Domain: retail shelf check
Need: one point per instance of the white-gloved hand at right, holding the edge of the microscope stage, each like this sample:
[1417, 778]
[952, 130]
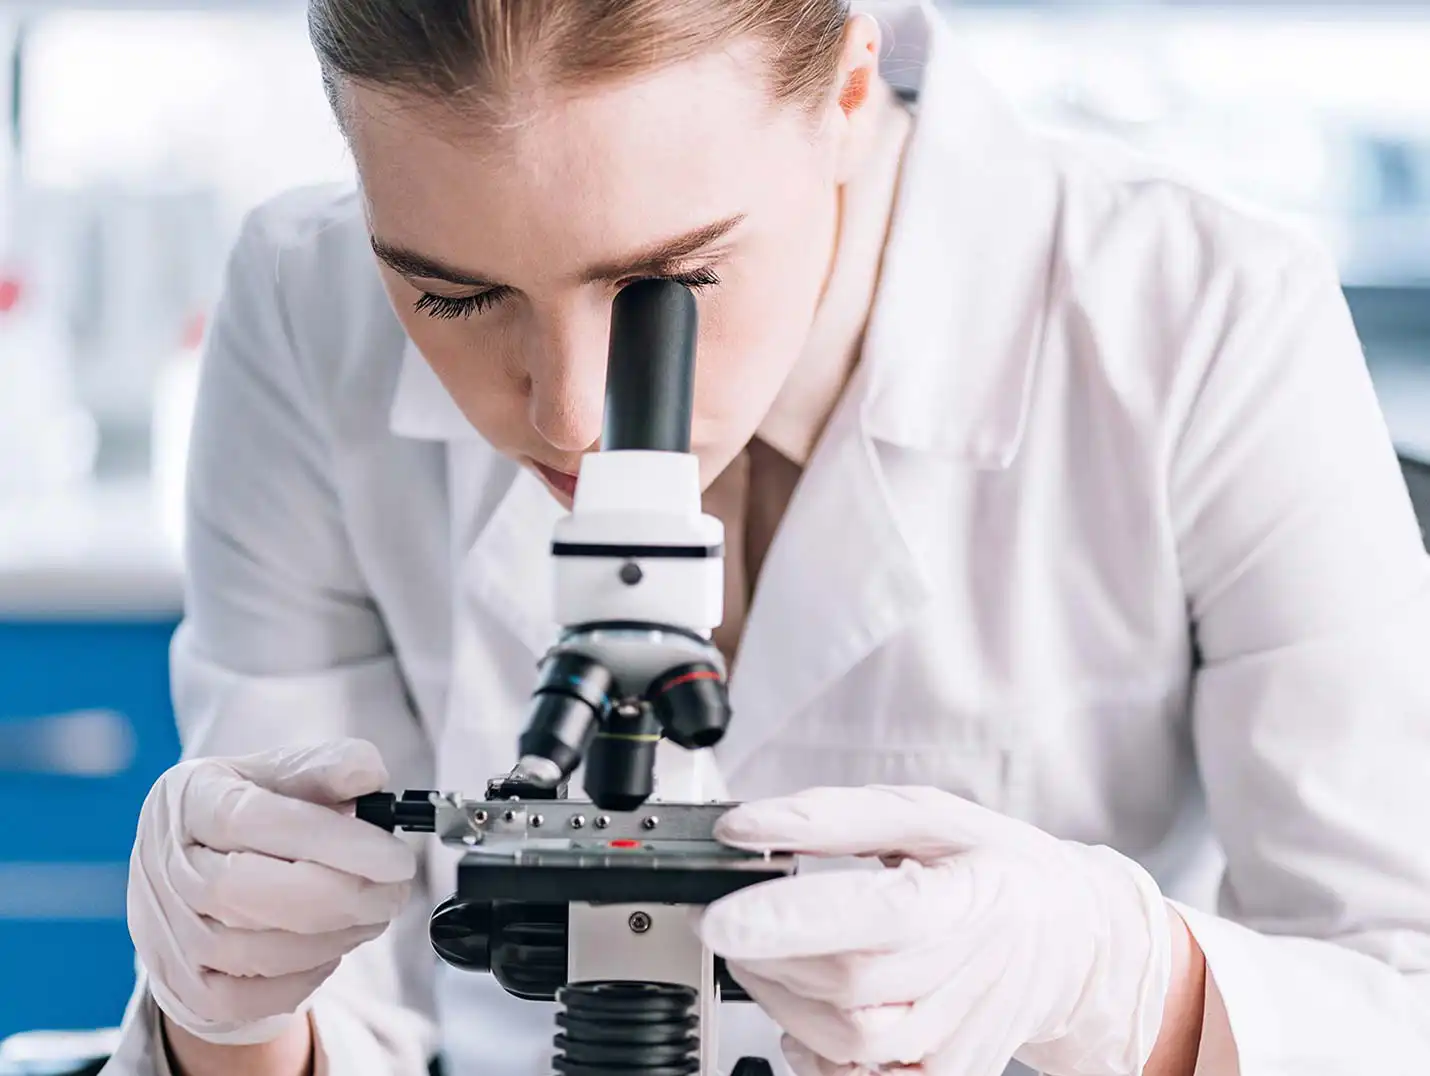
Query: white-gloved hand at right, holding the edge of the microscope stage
[985, 941]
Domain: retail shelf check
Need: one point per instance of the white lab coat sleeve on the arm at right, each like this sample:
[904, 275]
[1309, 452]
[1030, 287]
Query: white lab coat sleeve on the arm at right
[1311, 595]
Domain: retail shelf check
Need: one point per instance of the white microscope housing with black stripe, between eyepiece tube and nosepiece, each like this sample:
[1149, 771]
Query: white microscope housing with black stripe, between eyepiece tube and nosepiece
[641, 500]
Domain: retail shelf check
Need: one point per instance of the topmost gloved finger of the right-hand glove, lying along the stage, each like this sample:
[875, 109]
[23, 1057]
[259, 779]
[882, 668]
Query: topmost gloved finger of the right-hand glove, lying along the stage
[877, 821]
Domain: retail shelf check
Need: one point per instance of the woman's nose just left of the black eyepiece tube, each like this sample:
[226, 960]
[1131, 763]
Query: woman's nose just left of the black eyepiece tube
[568, 386]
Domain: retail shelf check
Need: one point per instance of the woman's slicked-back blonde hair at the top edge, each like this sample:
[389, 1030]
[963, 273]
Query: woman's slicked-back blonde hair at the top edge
[477, 54]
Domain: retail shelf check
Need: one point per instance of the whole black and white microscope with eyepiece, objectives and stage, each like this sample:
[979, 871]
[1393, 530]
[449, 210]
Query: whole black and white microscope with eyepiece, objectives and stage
[588, 902]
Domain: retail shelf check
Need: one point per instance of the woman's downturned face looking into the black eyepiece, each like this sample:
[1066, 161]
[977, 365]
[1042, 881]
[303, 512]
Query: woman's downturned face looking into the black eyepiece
[503, 248]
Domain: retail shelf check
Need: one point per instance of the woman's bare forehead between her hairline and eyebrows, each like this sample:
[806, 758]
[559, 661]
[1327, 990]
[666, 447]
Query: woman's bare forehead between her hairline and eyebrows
[576, 177]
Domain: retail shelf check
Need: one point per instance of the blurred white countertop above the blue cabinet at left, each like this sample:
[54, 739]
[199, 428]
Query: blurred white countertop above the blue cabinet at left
[95, 553]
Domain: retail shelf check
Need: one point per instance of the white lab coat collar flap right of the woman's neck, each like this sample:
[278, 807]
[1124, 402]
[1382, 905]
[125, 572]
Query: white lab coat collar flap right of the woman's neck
[957, 323]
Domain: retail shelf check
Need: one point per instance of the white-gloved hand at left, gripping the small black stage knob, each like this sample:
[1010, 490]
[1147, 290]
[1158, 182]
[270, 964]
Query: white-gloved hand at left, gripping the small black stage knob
[248, 885]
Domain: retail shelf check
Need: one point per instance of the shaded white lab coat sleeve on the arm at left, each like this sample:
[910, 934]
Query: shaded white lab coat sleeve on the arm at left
[282, 643]
